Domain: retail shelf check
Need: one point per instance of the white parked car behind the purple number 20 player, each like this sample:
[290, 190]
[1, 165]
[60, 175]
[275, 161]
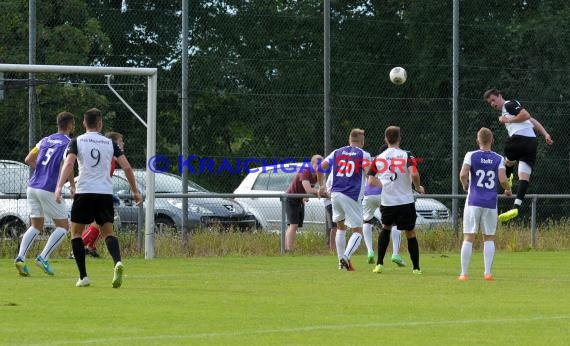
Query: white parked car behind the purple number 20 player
[273, 180]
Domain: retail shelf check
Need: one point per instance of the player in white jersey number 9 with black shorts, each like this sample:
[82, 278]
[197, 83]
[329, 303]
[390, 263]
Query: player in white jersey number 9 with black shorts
[93, 198]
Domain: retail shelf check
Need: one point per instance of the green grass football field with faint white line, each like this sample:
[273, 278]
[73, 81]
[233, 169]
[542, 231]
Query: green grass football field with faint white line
[290, 300]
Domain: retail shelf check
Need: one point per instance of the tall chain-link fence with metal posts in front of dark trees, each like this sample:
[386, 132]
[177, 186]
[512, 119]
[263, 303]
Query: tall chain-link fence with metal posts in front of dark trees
[256, 79]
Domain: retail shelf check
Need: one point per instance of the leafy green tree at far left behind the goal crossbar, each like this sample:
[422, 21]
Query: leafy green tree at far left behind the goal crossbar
[66, 35]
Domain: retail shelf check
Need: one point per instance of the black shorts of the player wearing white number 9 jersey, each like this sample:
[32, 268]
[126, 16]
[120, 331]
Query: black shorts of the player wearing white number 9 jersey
[87, 207]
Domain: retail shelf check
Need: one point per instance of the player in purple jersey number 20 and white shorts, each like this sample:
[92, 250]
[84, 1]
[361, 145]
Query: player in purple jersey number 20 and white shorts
[348, 168]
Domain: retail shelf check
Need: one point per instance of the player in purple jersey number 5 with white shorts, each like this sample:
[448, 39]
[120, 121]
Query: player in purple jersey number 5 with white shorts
[46, 159]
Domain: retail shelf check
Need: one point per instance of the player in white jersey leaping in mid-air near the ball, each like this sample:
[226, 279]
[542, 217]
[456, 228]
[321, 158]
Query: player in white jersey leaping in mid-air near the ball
[521, 144]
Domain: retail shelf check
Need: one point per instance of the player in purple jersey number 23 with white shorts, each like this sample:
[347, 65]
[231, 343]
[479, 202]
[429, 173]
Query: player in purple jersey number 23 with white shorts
[482, 171]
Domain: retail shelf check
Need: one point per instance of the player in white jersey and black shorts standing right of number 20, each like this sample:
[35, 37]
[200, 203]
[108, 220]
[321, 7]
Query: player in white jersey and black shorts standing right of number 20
[395, 170]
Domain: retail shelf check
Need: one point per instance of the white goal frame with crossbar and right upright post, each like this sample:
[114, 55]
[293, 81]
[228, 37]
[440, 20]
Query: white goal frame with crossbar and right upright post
[151, 74]
